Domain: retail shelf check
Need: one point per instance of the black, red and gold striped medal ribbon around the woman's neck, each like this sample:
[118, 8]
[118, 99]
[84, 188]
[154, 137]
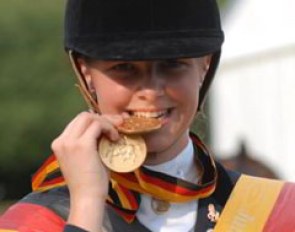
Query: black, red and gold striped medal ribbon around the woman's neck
[125, 188]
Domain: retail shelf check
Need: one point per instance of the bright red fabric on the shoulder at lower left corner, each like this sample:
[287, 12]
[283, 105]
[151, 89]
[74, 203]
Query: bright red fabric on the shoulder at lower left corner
[27, 217]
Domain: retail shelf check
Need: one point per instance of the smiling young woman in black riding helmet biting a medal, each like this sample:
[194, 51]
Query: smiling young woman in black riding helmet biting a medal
[151, 59]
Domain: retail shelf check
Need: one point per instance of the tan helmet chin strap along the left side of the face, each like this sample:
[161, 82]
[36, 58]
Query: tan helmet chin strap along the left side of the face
[82, 86]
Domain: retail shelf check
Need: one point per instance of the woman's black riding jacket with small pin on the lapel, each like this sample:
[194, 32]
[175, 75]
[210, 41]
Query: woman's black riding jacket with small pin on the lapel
[57, 200]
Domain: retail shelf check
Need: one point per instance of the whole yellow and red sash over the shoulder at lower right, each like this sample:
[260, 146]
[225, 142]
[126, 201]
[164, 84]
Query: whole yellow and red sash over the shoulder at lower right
[259, 205]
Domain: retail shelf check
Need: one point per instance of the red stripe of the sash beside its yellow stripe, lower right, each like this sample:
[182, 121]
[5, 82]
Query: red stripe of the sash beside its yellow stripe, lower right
[282, 217]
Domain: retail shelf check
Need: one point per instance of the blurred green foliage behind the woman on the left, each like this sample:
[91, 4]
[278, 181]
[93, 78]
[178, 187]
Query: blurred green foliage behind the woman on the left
[37, 90]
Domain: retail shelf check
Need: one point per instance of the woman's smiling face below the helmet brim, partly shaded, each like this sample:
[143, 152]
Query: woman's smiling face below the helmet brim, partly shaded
[164, 89]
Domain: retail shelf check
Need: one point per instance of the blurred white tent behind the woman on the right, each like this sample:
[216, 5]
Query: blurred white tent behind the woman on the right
[253, 96]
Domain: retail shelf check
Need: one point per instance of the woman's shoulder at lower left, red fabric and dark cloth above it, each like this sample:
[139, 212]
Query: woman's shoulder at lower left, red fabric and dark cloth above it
[45, 211]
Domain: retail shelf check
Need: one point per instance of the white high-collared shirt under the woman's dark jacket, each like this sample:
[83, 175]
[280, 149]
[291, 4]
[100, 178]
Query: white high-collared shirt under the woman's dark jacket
[180, 216]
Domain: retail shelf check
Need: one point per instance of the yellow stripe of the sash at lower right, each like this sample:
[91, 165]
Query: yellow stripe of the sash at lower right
[249, 205]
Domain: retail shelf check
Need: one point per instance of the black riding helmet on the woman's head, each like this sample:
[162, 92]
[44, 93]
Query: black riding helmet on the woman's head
[145, 30]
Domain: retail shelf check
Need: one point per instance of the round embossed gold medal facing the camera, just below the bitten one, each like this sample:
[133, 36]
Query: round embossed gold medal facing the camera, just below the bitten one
[125, 155]
